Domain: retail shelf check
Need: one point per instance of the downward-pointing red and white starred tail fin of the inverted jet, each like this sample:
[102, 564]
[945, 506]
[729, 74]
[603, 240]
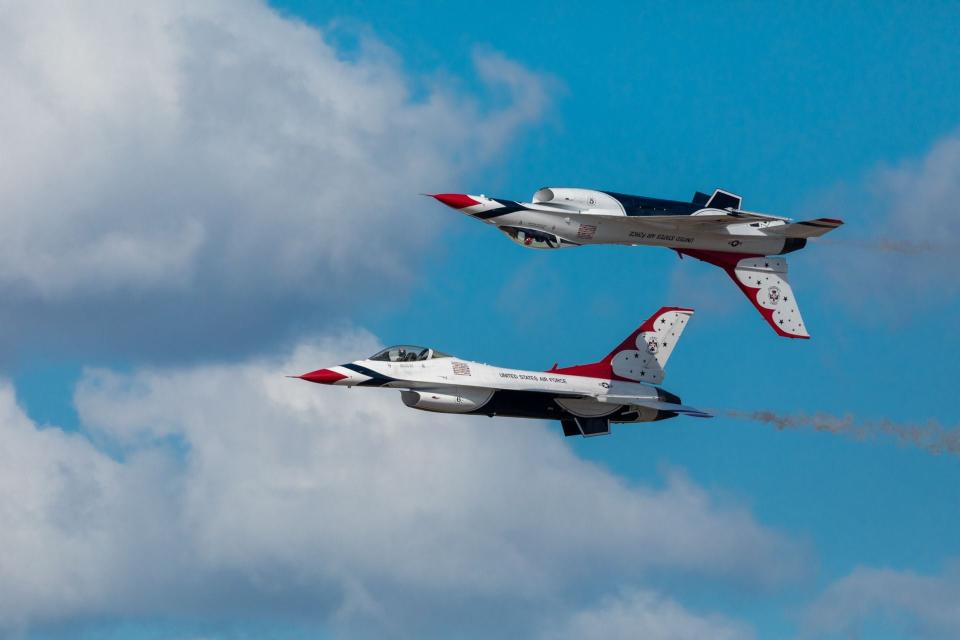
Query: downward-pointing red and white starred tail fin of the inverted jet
[764, 282]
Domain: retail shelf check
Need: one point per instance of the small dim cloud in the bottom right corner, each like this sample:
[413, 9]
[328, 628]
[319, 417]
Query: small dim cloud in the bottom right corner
[920, 605]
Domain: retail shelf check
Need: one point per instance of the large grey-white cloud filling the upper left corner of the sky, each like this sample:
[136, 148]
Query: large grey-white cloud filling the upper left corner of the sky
[175, 169]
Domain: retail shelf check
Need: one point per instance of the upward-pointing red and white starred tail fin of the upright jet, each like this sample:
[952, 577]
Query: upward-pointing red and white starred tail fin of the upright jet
[644, 354]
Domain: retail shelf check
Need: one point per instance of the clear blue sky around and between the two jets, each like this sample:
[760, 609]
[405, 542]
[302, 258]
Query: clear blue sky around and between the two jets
[779, 103]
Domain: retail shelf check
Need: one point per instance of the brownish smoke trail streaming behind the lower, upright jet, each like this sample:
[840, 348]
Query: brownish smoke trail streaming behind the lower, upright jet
[930, 436]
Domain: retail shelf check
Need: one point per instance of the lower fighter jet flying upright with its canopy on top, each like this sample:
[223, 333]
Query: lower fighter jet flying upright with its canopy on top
[586, 398]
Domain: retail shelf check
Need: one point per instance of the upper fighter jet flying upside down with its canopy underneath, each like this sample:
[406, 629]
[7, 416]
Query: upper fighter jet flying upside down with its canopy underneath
[711, 228]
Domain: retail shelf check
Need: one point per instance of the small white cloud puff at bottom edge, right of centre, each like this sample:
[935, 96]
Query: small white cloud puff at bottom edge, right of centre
[647, 615]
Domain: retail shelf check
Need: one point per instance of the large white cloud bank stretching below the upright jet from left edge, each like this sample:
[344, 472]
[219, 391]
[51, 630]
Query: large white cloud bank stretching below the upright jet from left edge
[232, 490]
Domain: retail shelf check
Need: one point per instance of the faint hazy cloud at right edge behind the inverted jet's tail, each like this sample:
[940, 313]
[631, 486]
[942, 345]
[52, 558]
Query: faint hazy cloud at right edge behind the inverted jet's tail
[902, 245]
